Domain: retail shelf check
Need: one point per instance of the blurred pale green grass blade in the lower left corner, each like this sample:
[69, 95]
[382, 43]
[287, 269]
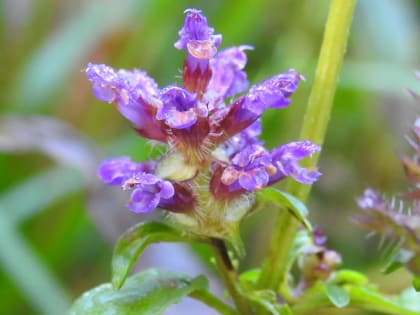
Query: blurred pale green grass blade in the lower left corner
[33, 279]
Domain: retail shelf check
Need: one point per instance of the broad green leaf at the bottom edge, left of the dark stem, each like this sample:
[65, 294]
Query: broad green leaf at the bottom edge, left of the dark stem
[146, 293]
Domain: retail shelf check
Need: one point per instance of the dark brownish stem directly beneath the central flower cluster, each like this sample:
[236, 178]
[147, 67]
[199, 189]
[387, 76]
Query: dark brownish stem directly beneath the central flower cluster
[229, 276]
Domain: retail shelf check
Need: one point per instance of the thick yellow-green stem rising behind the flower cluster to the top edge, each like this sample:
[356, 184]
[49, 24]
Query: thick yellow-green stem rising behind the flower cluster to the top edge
[315, 123]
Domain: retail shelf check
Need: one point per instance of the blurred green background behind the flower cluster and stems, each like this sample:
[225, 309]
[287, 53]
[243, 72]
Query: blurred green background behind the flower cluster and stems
[58, 223]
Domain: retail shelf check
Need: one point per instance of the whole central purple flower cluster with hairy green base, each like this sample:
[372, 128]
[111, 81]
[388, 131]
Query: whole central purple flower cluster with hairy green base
[214, 155]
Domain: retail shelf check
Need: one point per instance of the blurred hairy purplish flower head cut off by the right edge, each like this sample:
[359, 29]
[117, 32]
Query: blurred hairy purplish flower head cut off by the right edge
[398, 221]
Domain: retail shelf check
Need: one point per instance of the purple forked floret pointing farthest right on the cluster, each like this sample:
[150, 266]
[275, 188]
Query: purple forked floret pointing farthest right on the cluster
[285, 159]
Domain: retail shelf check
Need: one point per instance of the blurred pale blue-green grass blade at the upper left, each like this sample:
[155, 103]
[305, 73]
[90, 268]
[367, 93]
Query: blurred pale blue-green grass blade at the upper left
[65, 50]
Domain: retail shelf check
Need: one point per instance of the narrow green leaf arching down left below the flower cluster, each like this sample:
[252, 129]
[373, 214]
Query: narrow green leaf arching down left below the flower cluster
[132, 243]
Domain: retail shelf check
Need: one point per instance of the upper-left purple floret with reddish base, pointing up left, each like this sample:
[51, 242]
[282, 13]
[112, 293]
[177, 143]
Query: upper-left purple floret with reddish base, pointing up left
[133, 92]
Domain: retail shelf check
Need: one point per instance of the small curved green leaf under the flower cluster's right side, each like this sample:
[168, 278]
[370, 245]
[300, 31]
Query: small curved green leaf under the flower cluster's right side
[285, 201]
